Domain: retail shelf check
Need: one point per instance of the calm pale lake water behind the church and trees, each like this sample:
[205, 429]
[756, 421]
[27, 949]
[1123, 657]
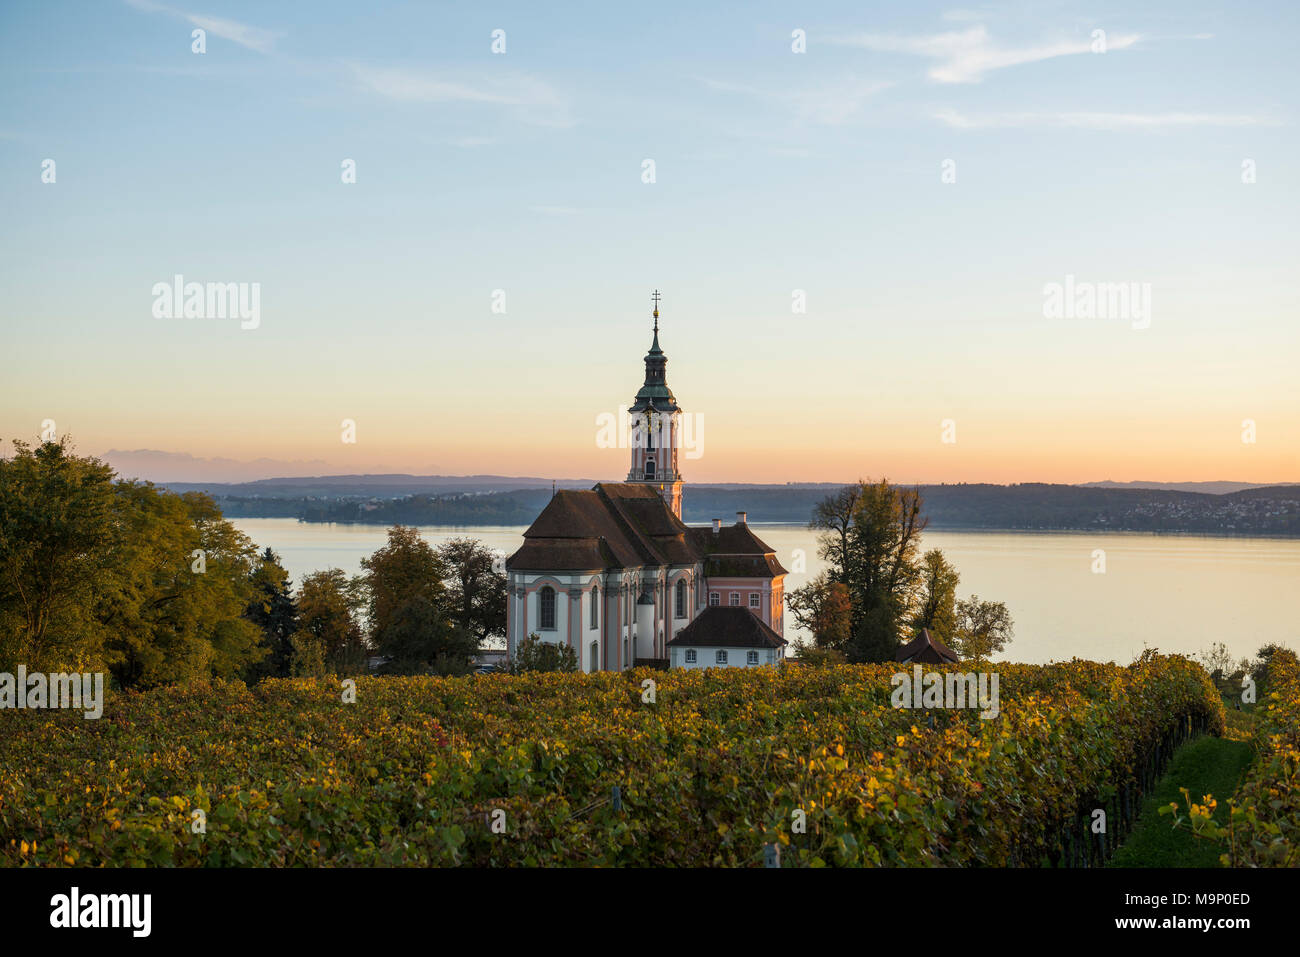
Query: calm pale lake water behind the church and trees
[1177, 594]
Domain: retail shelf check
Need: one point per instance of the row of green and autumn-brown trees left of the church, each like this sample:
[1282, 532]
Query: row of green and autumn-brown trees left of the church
[103, 574]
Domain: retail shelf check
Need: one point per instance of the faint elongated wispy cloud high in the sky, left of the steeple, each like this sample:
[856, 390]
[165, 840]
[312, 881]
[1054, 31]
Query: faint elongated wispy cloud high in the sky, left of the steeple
[535, 99]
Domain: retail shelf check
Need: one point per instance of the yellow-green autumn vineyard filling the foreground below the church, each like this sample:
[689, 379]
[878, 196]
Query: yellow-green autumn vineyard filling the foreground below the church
[717, 770]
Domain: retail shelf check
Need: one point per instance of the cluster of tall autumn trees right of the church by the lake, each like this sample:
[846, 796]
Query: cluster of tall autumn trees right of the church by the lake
[881, 591]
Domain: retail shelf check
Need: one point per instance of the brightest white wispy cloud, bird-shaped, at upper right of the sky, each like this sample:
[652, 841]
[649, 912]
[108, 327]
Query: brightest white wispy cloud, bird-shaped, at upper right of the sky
[965, 57]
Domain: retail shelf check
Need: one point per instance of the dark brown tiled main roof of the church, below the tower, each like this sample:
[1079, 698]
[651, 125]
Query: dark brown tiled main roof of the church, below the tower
[629, 525]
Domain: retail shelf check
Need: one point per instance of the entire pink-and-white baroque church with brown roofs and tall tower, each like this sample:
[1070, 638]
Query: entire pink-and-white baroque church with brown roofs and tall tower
[616, 574]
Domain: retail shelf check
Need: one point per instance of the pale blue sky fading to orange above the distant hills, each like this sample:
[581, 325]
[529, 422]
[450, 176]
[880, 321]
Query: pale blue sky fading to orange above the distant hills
[857, 245]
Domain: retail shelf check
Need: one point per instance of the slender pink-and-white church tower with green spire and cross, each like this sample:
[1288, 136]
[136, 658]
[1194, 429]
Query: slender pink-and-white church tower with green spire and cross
[656, 427]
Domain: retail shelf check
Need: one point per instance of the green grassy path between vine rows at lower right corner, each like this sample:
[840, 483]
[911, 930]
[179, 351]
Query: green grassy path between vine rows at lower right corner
[1204, 767]
